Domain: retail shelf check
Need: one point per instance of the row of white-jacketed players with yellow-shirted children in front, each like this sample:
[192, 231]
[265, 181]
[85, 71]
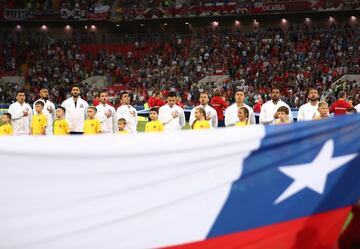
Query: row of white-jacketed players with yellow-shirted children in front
[75, 116]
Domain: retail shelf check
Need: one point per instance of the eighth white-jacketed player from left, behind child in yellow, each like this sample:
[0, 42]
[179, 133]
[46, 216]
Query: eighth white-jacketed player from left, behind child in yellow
[231, 113]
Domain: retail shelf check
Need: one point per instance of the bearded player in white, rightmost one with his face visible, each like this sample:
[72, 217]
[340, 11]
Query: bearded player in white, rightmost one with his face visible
[310, 109]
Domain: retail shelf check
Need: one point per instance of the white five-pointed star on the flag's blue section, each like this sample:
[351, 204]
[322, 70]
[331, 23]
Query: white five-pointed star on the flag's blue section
[313, 175]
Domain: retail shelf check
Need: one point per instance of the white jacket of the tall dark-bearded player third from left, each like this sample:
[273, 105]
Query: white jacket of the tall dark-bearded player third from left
[75, 114]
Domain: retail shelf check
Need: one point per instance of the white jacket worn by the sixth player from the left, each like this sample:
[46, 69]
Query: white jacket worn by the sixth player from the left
[170, 123]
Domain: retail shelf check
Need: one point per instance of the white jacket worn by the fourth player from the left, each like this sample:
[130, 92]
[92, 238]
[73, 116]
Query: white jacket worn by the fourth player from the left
[108, 124]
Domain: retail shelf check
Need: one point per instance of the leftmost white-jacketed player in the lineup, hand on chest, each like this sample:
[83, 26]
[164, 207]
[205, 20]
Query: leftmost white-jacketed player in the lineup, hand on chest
[21, 114]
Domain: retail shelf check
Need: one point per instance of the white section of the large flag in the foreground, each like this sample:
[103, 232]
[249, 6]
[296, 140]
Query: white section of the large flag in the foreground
[135, 191]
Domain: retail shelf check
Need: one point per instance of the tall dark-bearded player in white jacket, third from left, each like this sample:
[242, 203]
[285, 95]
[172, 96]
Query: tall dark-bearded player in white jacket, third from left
[75, 108]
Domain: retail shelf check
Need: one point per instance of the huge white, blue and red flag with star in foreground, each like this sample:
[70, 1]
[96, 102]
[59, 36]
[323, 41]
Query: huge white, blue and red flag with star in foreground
[284, 186]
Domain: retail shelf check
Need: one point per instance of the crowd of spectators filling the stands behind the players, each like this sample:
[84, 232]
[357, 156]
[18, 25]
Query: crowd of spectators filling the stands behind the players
[295, 60]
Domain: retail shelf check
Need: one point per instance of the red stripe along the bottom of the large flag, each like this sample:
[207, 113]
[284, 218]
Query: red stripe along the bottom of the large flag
[319, 231]
